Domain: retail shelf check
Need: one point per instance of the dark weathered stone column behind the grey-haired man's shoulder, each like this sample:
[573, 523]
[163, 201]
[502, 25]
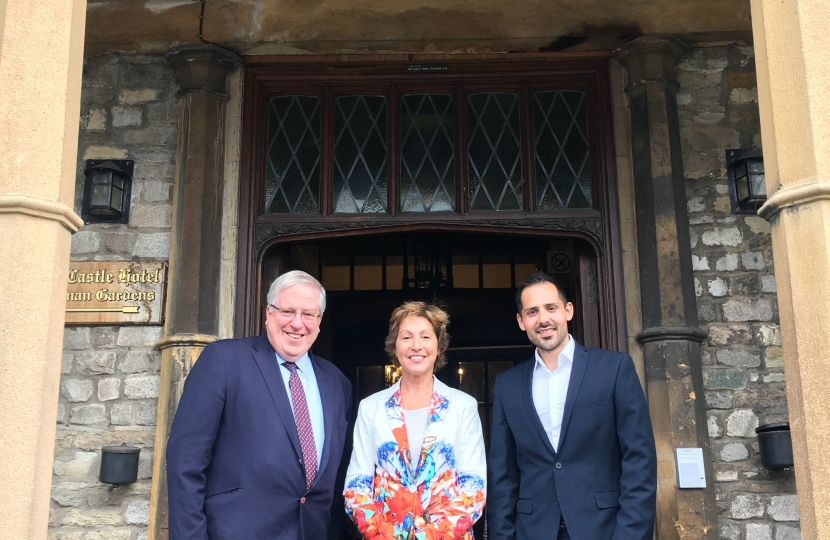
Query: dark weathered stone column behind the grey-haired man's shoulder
[196, 241]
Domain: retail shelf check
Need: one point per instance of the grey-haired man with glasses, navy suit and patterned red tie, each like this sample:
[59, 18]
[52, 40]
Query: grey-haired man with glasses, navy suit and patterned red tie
[256, 450]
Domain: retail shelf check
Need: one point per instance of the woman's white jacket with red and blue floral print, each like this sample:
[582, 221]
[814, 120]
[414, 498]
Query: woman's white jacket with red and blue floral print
[439, 498]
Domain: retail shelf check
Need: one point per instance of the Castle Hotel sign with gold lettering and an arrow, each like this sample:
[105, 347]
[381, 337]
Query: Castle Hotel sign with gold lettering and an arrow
[115, 292]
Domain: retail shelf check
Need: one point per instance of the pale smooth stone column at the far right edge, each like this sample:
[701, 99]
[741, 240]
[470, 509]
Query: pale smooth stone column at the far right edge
[791, 44]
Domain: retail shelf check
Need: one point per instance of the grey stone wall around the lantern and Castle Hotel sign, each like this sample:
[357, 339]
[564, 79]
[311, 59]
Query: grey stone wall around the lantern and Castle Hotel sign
[109, 381]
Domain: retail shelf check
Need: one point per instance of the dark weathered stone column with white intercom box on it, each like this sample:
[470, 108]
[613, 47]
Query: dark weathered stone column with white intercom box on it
[671, 336]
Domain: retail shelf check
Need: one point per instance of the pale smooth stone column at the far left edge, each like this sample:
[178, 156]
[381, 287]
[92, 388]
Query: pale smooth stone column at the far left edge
[41, 61]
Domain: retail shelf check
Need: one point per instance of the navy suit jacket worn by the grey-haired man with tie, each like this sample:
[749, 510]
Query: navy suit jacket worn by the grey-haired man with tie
[234, 468]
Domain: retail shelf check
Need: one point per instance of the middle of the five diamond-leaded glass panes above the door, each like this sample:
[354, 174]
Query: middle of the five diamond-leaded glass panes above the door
[427, 159]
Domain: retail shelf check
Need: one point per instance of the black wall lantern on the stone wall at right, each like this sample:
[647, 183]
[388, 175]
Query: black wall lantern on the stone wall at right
[747, 183]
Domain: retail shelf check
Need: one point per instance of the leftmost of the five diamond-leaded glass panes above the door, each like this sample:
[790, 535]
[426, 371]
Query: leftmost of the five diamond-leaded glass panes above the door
[292, 177]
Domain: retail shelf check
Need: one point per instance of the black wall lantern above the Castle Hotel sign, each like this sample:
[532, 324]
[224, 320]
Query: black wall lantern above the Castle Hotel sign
[107, 190]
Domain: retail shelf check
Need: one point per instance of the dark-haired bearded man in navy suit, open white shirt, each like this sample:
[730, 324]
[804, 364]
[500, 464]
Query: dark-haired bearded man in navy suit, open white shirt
[571, 449]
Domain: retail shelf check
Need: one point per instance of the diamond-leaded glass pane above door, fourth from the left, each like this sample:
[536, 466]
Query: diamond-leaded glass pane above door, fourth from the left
[494, 157]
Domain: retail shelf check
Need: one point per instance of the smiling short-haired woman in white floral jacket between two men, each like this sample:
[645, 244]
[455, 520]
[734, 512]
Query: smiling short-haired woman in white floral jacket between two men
[417, 470]
